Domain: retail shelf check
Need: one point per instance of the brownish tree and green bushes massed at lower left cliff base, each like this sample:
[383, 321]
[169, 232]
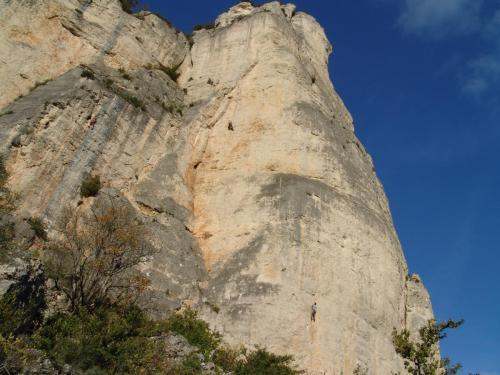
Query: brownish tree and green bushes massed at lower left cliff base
[100, 330]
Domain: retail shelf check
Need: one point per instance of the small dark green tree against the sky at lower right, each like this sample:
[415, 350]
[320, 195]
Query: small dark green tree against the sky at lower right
[421, 357]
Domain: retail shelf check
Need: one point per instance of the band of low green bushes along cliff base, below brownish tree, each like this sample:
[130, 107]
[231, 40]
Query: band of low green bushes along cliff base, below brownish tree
[122, 339]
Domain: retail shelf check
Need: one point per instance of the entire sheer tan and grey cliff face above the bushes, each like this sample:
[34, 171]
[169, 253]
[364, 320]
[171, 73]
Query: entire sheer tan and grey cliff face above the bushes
[259, 197]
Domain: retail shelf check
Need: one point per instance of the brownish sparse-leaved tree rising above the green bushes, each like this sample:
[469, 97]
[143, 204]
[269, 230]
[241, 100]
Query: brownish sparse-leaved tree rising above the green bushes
[93, 260]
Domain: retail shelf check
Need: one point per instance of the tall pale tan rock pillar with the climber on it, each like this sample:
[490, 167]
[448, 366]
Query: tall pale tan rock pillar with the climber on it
[286, 207]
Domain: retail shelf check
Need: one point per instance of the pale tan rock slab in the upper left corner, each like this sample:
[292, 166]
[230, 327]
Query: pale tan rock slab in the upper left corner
[41, 40]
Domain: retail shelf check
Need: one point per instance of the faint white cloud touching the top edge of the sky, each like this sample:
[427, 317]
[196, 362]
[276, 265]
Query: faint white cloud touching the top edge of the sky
[437, 19]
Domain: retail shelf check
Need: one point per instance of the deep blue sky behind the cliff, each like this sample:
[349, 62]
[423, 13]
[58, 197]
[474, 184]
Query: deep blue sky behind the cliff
[422, 80]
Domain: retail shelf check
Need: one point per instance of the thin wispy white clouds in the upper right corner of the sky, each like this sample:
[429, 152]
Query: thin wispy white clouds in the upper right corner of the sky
[436, 20]
